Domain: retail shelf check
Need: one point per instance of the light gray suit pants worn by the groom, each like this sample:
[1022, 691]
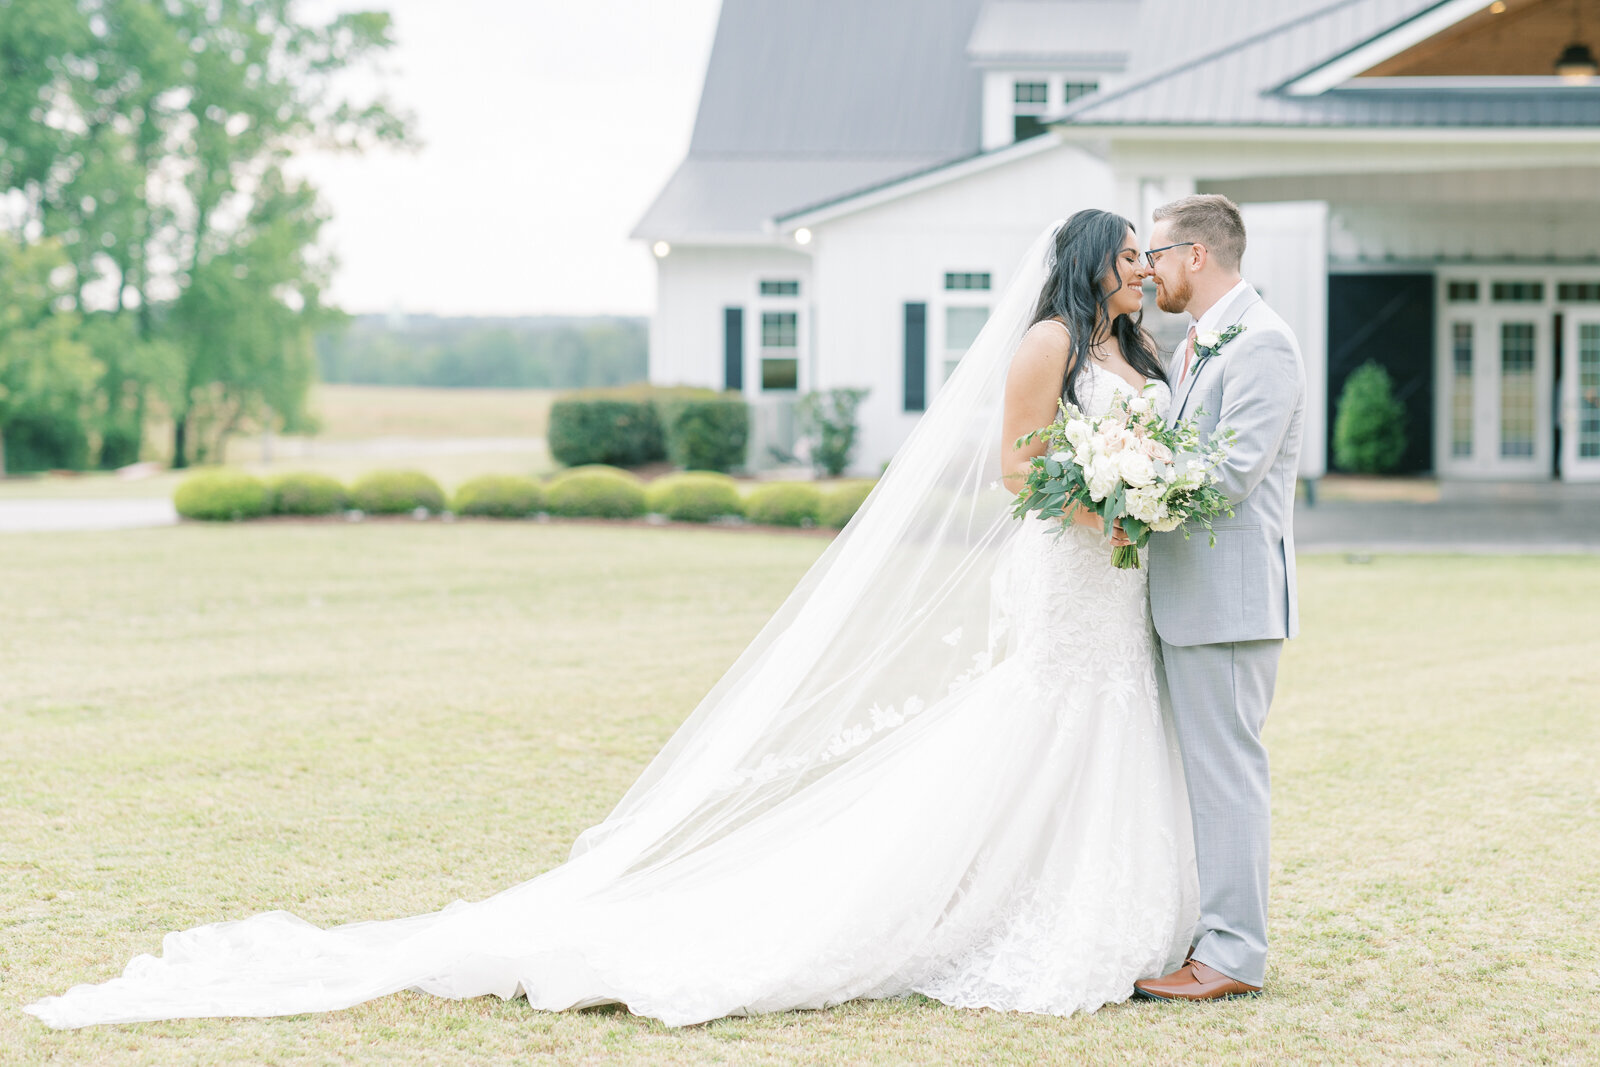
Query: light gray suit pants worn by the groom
[1220, 697]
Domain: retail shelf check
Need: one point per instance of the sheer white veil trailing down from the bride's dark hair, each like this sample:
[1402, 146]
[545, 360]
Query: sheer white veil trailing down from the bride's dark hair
[892, 618]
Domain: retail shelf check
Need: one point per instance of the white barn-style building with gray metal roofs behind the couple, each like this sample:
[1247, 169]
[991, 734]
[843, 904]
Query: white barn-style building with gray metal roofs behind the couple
[1420, 185]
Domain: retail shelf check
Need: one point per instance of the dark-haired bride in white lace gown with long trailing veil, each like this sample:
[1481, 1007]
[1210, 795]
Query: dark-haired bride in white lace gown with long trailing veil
[942, 769]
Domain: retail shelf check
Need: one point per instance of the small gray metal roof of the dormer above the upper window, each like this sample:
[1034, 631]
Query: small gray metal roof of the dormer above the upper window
[1055, 33]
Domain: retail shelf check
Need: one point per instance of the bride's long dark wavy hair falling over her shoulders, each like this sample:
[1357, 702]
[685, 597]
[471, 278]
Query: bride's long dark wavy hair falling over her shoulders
[1087, 247]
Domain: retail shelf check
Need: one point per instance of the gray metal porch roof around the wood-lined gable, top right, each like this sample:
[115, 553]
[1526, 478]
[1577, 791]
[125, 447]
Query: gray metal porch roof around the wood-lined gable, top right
[1239, 66]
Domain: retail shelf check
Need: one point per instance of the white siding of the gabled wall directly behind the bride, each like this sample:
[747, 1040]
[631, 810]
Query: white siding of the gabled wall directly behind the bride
[870, 265]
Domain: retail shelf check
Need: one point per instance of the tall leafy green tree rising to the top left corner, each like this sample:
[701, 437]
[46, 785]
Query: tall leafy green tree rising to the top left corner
[151, 140]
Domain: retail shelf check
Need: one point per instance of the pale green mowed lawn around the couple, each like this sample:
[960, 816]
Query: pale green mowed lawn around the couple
[364, 722]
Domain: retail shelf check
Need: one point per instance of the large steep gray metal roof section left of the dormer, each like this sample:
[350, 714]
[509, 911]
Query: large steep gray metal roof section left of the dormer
[806, 102]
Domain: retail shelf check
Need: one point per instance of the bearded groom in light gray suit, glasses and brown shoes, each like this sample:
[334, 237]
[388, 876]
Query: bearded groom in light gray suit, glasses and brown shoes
[1225, 612]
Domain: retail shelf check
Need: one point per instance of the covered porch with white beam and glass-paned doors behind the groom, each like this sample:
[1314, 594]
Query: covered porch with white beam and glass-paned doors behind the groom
[1466, 263]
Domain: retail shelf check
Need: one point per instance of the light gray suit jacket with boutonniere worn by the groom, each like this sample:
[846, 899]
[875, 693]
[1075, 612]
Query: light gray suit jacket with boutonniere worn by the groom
[1242, 589]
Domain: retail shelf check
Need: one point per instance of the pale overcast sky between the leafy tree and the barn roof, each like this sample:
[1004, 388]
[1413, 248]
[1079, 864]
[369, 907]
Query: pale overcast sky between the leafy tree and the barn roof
[548, 130]
